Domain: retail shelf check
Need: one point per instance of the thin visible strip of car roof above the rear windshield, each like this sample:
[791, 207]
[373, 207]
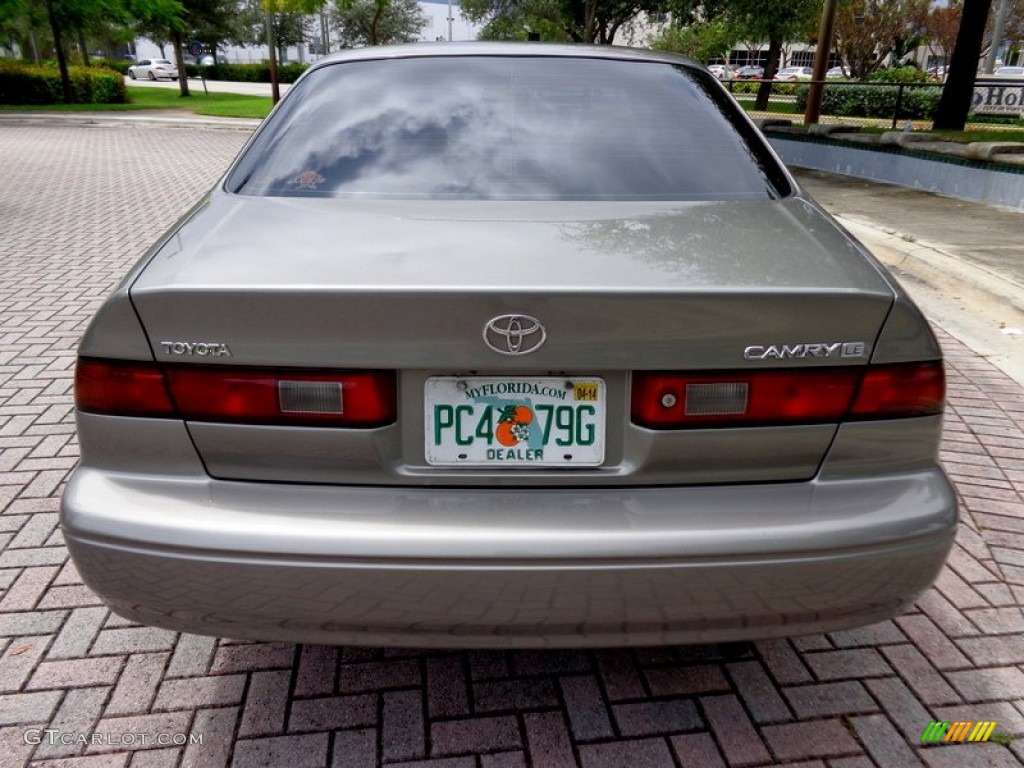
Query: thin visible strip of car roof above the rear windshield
[476, 49]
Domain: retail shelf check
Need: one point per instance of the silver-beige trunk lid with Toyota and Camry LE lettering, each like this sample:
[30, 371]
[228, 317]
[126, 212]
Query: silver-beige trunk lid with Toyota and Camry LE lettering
[410, 287]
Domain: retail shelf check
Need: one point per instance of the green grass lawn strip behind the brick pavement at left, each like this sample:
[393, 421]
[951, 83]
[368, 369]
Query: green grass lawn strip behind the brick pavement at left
[220, 105]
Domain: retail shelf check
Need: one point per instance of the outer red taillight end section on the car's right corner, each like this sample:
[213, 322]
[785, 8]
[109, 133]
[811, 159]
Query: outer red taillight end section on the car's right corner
[918, 390]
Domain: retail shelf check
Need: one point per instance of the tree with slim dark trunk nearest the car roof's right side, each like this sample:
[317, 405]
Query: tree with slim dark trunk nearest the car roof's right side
[775, 21]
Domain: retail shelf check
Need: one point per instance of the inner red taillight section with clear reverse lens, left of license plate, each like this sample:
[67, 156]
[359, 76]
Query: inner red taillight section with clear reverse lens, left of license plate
[361, 399]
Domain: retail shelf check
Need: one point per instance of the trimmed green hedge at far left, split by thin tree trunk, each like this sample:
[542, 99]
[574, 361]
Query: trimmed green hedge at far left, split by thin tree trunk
[27, 84]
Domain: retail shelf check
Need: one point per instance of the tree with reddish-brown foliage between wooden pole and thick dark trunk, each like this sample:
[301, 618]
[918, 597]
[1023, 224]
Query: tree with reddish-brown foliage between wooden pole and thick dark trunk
[868, 31]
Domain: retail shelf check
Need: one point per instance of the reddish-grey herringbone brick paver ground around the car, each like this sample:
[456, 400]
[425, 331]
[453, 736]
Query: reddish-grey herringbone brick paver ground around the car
[78, 205]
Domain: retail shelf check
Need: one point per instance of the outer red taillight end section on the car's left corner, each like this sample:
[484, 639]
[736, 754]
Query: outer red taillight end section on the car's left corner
[121, 389]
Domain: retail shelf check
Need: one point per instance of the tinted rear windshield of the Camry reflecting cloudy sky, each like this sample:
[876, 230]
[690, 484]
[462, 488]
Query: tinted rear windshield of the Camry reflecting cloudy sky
[508, 129]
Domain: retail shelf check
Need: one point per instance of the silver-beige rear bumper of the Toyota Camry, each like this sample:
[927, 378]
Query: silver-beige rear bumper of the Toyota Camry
[503, 568]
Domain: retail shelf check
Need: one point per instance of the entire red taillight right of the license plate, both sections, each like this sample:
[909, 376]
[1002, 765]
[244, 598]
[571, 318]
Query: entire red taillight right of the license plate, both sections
[679, 401]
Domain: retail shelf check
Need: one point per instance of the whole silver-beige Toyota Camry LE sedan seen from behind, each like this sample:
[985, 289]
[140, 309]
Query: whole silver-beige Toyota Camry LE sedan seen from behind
[508, 346]
